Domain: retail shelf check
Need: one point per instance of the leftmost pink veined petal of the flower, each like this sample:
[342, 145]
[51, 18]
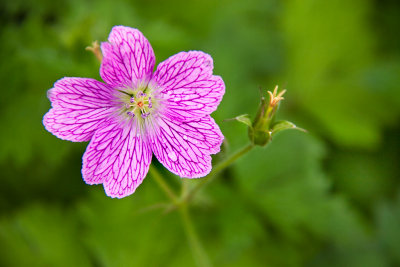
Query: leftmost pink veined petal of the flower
[79, 106]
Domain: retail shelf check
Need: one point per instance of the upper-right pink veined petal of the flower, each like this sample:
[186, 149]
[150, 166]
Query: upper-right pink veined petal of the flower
[187, 84]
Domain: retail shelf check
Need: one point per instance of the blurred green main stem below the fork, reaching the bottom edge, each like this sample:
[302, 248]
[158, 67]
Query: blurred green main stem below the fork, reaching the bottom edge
[198, 251]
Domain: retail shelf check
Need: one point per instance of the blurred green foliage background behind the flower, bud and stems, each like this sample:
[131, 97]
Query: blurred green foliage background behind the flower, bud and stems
[327, 198]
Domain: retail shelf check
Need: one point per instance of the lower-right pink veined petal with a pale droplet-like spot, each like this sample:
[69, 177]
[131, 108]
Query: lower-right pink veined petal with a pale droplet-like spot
[184, 148]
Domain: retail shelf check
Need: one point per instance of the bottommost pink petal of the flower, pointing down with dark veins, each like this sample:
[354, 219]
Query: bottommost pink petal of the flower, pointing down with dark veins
[118, 157]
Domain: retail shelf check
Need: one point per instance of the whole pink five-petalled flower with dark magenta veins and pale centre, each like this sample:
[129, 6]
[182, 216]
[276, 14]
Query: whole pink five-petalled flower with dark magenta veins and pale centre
[136, 113]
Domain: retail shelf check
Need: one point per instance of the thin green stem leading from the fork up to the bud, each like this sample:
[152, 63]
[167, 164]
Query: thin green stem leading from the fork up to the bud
[219, 167]
